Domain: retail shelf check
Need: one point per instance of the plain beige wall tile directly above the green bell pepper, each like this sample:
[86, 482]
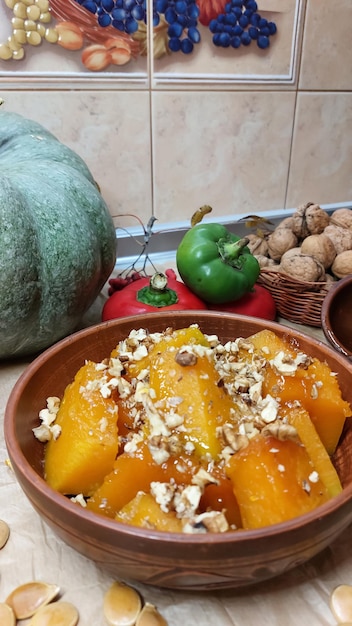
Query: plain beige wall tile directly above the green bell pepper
[228, 150]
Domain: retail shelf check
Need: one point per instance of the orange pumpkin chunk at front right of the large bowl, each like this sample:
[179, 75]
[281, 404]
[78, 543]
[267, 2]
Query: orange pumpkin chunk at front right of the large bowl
[274, 481]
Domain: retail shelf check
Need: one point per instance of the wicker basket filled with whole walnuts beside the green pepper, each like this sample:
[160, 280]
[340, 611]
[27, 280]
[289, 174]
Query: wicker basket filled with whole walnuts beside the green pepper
[302, 258]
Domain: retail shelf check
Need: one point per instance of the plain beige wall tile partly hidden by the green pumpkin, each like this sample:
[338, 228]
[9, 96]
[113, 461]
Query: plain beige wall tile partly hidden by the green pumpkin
[109, 130]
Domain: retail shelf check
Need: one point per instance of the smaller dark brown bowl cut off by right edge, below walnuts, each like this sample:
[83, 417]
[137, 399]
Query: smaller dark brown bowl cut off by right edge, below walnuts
[336, 316]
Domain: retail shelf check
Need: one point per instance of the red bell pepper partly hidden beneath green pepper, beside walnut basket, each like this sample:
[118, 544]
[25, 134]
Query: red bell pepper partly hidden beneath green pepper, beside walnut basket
[257, 303]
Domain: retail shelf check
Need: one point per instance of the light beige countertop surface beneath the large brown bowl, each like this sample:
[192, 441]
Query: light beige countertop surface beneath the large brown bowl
[33, 552]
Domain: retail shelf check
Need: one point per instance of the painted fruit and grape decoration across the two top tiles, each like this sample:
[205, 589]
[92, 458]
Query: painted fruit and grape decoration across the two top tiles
[109, 35]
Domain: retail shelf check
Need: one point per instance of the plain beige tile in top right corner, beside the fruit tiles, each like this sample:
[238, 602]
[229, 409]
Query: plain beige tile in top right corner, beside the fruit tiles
[327, 50]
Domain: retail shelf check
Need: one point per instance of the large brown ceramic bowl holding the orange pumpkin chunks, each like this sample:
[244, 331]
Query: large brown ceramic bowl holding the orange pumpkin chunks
[178, 561]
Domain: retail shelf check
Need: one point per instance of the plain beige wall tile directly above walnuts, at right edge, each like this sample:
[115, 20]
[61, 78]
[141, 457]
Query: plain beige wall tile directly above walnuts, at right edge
[322, 149]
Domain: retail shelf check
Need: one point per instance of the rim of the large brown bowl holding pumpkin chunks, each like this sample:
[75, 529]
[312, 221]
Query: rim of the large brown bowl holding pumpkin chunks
[29, 474]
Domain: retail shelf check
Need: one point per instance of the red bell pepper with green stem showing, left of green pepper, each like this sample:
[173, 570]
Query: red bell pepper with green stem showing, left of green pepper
[145, 295]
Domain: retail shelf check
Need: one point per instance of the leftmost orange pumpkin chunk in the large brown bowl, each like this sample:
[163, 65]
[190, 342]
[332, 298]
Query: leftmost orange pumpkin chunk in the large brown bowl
[85, 451]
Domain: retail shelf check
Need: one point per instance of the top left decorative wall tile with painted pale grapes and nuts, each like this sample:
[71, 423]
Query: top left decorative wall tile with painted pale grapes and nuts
[61, 42]
